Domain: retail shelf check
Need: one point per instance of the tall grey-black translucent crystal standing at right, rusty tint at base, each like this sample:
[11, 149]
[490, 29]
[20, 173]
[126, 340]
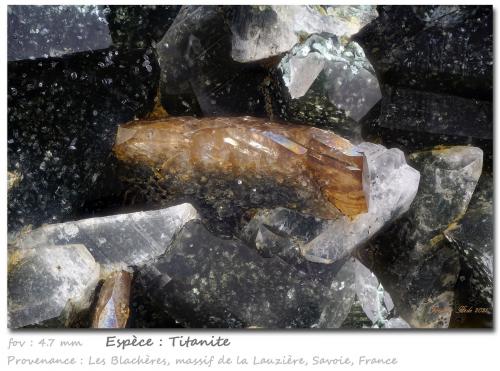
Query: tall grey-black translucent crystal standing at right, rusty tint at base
[412, 259]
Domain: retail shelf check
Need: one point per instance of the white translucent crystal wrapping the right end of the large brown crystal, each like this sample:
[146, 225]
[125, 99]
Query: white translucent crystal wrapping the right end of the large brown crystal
[392, 186]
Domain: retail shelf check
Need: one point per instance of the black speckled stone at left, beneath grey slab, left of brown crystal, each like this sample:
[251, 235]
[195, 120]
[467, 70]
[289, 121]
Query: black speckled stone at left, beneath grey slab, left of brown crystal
[62, 120]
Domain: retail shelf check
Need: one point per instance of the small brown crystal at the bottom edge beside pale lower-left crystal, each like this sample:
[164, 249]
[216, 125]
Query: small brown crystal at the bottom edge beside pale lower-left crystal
[112, 308]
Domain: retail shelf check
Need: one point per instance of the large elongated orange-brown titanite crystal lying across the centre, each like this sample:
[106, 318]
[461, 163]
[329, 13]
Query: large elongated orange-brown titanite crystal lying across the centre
[322, 165]
